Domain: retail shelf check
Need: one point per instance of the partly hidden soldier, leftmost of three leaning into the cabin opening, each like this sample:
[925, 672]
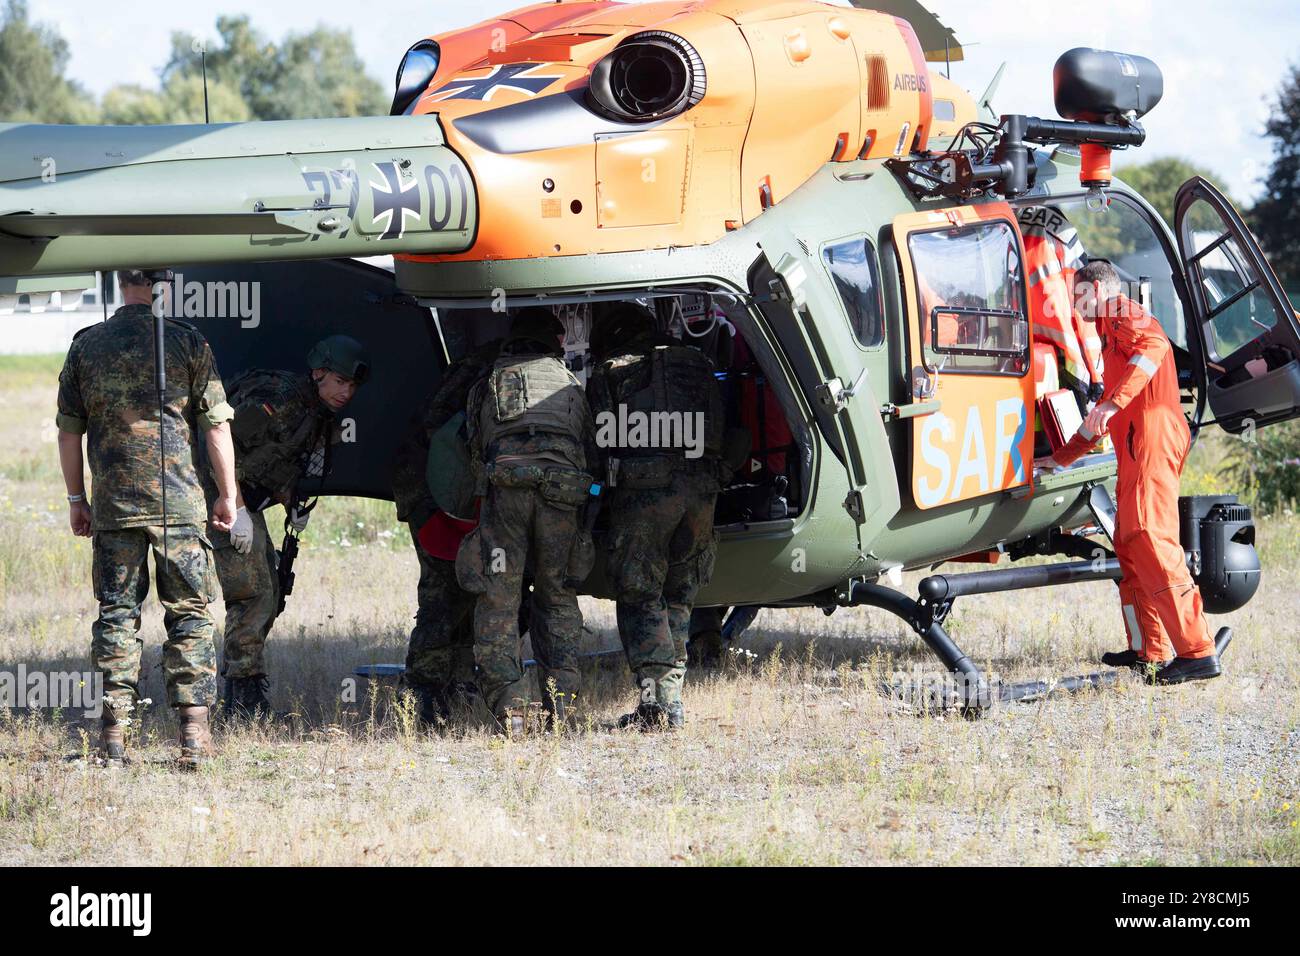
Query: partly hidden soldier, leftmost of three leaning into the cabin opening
[441, 654]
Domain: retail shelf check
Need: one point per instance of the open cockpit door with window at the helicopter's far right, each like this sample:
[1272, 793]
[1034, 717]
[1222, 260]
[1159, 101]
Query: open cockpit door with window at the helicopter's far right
[1250, 330]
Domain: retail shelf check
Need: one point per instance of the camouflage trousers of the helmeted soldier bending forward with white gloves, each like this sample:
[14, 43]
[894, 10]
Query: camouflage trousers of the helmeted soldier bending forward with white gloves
[252, 592]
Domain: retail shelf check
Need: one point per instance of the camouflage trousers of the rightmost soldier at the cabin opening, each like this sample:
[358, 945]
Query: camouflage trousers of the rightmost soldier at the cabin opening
[661, 555]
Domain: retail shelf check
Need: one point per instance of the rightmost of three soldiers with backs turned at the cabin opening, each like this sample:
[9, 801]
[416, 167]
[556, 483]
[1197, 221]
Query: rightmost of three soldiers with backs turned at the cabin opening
[662, 500]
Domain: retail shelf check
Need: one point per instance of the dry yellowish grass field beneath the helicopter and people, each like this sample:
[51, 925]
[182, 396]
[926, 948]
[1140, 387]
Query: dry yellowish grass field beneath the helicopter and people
[791, 755]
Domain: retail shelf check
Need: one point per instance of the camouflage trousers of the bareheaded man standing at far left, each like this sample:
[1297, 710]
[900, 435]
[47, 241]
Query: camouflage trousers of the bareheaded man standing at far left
[187, 586]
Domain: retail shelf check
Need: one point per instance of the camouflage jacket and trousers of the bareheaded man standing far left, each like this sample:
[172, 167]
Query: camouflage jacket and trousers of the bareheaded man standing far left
[107, 392]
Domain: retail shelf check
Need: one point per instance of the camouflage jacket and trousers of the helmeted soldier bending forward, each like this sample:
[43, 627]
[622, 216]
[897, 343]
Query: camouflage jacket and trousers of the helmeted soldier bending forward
[281, 432]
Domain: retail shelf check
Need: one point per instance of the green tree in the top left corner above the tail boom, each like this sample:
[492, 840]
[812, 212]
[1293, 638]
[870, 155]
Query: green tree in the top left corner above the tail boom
[33, 59]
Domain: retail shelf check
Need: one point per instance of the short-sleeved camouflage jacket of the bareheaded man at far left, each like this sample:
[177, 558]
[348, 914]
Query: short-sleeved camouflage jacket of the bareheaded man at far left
[109, 392]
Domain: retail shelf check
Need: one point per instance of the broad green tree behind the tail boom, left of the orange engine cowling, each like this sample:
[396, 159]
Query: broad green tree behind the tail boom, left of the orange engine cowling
[313, 75]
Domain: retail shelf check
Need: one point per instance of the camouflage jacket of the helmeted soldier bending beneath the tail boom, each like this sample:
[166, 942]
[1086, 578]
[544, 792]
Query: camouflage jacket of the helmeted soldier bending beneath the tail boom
[281, 432]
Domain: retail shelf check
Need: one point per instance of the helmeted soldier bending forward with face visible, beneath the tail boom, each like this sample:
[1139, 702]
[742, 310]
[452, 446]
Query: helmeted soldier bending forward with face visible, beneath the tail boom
[284, 427]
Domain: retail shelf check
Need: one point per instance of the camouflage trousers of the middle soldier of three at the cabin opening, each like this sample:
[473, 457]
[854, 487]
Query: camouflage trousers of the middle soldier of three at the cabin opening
[521, 529]
